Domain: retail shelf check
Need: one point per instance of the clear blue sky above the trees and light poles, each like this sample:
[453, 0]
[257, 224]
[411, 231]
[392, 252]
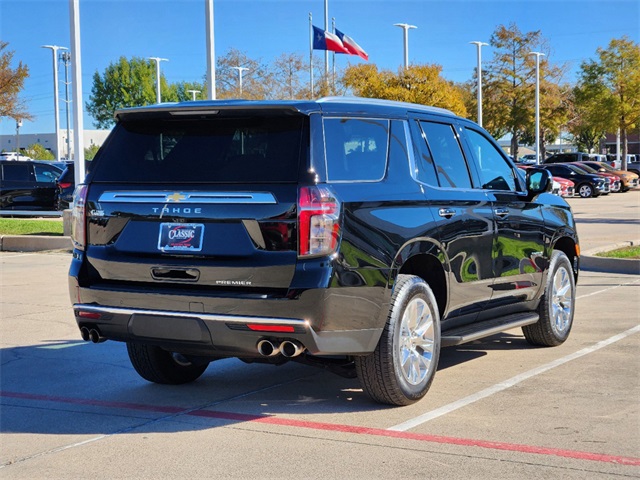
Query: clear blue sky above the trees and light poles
[264, 29]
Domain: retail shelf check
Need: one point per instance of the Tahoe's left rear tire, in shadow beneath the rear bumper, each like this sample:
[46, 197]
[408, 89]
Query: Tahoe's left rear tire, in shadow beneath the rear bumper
[159, 366]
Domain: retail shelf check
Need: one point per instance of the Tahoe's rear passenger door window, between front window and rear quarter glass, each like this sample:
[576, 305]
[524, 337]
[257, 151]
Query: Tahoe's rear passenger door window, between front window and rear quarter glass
[451, 167]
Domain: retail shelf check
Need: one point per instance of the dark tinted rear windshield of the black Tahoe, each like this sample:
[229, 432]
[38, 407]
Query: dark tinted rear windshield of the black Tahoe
[203, 150]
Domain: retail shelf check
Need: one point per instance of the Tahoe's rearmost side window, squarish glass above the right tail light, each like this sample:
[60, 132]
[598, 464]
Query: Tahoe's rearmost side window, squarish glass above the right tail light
[356, 149]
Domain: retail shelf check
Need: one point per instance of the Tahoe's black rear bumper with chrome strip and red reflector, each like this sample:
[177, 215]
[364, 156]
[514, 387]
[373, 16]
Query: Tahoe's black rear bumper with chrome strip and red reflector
[327, 321]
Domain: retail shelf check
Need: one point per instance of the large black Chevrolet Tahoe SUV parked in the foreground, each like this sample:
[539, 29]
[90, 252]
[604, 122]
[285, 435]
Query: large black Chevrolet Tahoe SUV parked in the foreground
[356, 235]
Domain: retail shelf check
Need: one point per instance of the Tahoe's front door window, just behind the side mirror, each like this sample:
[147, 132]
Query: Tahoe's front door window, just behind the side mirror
[495, 172]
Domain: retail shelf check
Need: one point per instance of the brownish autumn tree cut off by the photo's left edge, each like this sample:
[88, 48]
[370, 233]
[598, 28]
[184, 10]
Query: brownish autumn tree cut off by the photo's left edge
[11, 83]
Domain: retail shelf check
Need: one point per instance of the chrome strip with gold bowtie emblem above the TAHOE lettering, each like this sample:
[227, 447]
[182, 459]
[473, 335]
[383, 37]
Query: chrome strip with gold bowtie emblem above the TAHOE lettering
[140, 196]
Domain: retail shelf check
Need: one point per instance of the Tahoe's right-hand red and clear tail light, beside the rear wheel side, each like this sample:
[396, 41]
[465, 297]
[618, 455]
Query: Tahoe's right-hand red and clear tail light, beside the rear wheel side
[318, 221]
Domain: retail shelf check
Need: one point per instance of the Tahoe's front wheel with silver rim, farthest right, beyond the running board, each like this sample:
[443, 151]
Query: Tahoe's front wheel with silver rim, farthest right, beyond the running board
[556, 307]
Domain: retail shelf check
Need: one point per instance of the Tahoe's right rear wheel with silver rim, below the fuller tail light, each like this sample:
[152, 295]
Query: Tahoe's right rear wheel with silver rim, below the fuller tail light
[403, 365]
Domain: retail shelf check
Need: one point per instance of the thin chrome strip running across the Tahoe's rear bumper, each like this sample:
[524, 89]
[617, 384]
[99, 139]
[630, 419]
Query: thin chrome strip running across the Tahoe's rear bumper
[201, 316]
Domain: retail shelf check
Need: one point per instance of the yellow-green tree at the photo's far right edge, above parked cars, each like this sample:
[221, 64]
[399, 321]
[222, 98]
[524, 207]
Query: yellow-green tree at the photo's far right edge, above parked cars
[614, 78]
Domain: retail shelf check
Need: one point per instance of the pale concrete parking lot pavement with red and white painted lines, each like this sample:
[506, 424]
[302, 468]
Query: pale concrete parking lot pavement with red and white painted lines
[498, 408]
